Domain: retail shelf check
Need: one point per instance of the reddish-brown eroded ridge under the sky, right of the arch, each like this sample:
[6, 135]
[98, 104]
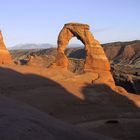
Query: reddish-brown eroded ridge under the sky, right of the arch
[124, 52]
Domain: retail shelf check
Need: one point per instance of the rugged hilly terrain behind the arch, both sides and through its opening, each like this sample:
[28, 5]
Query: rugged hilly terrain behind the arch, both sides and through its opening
[123, 56]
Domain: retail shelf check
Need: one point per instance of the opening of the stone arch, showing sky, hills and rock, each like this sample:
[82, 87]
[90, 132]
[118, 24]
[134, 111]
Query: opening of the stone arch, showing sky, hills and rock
[76, 55]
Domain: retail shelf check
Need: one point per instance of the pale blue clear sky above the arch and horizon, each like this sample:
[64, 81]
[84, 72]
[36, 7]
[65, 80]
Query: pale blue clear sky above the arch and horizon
[40, 21]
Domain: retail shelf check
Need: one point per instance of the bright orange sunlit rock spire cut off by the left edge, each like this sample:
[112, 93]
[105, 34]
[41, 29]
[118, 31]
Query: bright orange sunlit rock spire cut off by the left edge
[5, 57]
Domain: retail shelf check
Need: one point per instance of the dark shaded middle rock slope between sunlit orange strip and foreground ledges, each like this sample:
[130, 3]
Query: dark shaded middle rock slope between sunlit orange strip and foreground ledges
[51, 97]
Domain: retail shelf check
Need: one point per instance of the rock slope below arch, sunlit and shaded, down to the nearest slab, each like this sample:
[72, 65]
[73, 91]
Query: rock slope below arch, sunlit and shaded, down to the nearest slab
[74, 99]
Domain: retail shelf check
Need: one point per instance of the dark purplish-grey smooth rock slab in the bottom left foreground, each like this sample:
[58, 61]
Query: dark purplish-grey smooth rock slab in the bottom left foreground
[20, 121]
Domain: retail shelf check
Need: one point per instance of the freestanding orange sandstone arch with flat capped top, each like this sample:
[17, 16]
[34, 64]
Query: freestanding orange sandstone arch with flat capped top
[95, 56]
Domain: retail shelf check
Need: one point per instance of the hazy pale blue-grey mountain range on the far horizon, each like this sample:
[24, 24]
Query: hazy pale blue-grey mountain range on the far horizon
[31, 46]
